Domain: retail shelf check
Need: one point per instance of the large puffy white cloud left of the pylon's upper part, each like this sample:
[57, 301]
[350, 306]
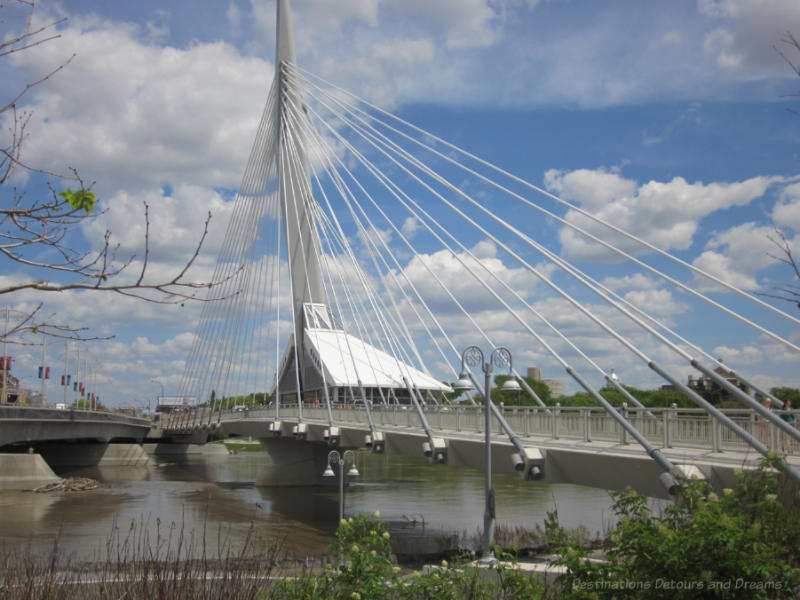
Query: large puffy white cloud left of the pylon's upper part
[139, 114]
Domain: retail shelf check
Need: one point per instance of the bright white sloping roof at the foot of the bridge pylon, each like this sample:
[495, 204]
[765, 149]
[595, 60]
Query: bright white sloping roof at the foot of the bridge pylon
[346, 359]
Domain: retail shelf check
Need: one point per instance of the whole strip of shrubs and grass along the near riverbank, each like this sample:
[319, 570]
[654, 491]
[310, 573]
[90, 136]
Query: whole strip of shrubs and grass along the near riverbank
[740, 543]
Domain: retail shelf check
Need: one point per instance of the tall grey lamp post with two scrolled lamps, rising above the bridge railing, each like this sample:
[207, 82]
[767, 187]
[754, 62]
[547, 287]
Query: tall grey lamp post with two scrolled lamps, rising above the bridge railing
[500, 357]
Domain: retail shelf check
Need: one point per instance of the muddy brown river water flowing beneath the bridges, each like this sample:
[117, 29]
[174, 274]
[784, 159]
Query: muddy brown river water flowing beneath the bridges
[214, 498]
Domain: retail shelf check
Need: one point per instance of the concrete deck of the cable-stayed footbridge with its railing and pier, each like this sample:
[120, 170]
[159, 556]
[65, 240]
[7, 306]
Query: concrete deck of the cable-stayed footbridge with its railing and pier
[565, 445]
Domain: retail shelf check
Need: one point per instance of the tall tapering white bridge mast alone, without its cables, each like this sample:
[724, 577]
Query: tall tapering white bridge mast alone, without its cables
[294, 184]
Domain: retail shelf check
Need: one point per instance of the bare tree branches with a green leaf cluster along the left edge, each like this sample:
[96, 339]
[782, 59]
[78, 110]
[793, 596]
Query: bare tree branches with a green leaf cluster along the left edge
[37, 233]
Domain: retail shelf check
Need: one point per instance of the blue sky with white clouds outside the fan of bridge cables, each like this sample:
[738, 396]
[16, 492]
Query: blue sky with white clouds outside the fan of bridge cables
[671, 118]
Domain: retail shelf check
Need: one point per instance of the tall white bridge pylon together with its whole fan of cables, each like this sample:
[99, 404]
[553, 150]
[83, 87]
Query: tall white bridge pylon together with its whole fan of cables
[364, 253]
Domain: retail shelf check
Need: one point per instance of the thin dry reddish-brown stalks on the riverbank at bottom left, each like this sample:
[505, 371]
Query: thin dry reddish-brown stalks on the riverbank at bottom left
[170, 566]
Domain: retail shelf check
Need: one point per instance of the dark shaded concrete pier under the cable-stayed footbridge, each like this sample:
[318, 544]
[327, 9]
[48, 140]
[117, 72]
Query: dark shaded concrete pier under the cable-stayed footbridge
[294, 462]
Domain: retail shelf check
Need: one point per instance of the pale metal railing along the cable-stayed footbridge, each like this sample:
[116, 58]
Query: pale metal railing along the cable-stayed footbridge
[663, 427]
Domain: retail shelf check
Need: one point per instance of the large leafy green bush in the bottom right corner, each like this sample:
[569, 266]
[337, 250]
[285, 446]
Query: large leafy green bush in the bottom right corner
[740, 544]
